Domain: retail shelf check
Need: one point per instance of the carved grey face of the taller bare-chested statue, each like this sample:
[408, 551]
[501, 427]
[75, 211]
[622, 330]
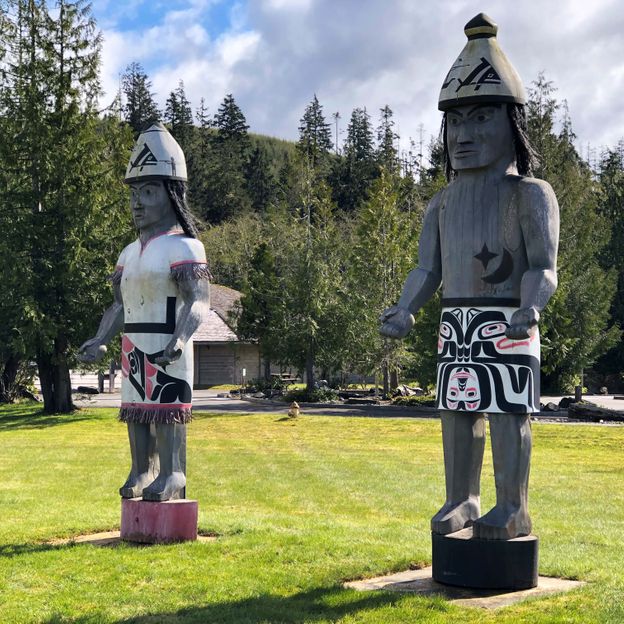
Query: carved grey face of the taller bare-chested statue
[479, 136]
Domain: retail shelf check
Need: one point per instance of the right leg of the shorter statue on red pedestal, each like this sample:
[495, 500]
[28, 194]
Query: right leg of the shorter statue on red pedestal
[171, 481]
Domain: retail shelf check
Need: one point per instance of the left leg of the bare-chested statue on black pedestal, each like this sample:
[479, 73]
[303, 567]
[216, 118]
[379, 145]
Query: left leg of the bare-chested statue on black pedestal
[463, 437]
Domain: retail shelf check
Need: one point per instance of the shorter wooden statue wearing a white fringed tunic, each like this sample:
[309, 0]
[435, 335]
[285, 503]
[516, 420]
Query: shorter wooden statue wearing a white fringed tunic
[161, 292]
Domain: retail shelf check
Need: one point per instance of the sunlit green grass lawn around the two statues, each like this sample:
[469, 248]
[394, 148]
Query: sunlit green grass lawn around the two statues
[299, 507]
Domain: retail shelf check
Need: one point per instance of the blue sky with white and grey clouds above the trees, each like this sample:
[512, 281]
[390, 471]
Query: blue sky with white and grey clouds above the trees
[274, 55]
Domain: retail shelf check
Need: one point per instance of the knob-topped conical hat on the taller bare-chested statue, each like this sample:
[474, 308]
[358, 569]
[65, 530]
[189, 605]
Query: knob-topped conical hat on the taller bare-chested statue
[482, 73]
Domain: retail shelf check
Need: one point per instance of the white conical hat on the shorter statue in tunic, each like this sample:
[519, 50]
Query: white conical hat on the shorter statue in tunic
[156, 155]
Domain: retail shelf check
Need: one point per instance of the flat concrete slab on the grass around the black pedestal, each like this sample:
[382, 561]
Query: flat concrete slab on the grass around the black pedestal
[420, 582]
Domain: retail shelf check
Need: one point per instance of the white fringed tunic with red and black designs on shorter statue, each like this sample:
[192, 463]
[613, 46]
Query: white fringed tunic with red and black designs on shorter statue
[151, 299]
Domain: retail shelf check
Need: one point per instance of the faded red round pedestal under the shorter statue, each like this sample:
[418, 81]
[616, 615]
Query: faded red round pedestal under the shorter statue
[158, 522]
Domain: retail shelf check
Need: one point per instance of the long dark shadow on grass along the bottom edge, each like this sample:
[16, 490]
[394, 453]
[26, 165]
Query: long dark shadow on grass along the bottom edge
[323, 604]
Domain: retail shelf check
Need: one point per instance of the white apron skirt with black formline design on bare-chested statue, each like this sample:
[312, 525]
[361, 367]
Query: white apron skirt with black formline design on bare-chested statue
[476, 370]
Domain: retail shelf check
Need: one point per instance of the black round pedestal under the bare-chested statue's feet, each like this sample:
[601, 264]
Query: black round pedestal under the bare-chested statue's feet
[465, 561]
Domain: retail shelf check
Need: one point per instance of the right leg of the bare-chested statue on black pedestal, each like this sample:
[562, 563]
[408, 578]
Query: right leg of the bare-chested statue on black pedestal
[511, 454]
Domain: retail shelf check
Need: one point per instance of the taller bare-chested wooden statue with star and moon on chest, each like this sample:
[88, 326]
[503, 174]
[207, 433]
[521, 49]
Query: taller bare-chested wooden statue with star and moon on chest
[490, 237]
